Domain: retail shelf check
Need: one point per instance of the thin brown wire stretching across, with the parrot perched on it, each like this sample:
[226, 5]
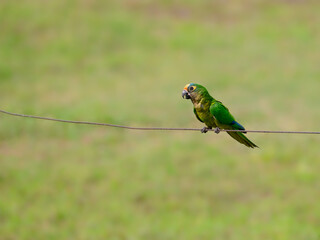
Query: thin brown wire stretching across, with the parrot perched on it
[149, 128]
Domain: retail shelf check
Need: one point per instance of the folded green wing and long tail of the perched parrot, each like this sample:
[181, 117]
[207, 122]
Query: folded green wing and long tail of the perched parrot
[225, 120]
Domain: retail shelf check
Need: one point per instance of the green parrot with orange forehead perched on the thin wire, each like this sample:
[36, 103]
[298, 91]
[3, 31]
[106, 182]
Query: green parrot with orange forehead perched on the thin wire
[213, 113]
